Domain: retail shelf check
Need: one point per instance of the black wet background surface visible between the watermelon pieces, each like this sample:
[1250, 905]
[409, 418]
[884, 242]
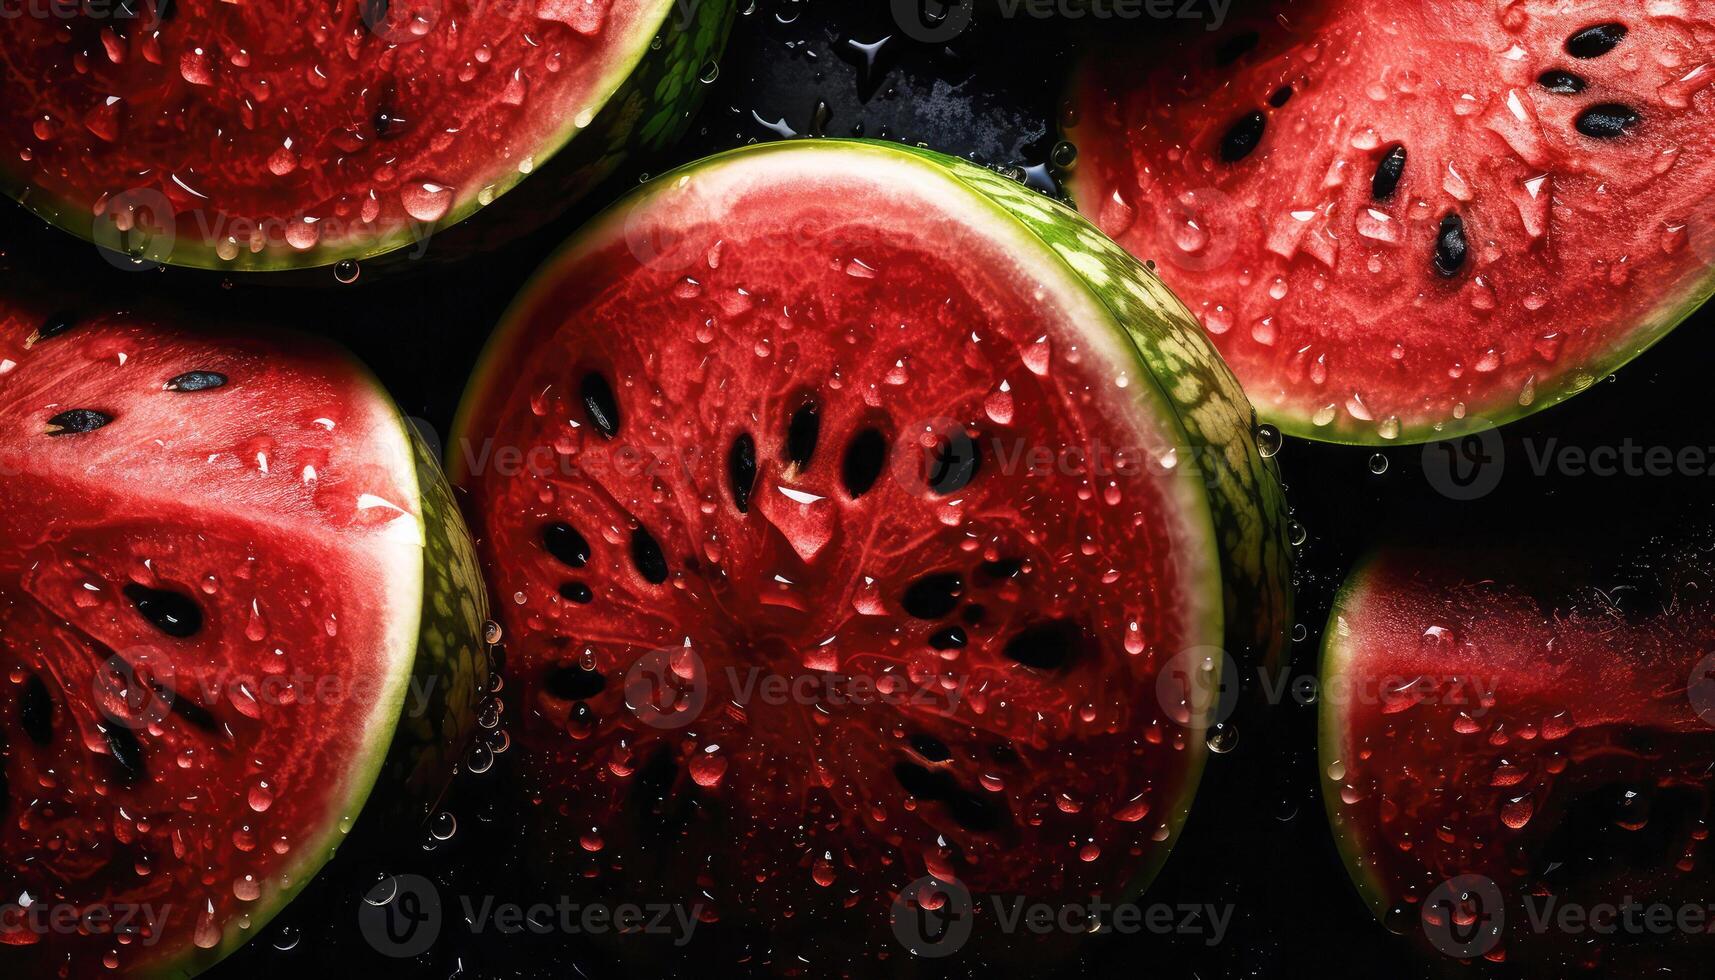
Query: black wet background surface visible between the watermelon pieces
[1258, 837]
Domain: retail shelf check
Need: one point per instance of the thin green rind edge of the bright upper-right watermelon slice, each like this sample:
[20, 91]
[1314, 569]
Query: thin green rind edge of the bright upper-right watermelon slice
[1349, 432]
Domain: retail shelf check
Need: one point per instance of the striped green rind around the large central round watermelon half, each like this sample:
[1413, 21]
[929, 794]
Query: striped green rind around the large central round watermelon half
[1237, 504]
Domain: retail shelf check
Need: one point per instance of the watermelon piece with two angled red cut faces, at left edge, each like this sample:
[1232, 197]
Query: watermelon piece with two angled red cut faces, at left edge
[229, 583]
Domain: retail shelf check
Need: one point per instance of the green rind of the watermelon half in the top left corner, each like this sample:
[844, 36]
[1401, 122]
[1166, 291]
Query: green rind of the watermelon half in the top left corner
[647, 104]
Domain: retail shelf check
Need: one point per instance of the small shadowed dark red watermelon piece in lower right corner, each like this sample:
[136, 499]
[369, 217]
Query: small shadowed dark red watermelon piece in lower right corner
[1491, 754]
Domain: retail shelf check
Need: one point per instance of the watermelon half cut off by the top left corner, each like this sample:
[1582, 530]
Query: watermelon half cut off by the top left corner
[294, 135]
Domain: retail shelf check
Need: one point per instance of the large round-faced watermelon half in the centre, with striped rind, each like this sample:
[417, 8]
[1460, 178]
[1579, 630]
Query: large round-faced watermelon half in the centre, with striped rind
[860, 524]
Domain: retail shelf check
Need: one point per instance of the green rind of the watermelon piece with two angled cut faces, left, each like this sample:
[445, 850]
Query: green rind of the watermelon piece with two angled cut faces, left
[443, 615]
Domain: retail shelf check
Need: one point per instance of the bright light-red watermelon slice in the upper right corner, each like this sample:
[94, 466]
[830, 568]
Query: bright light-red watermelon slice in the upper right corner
[1416, 219]
